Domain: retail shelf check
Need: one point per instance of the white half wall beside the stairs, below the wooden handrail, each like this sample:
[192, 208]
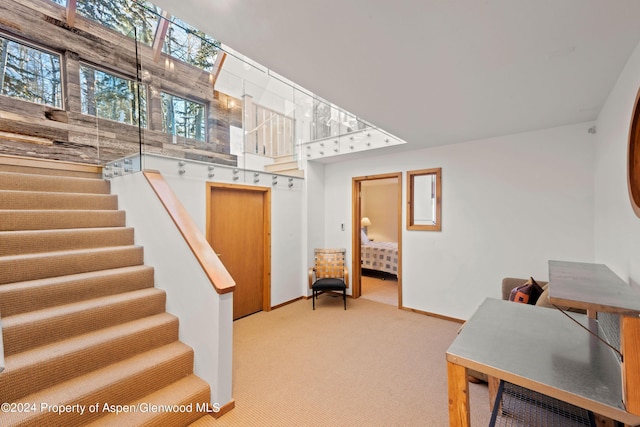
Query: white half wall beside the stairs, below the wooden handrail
[177, 270]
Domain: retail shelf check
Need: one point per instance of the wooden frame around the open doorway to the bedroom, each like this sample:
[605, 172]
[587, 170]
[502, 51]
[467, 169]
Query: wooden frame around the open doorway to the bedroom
[356, 209]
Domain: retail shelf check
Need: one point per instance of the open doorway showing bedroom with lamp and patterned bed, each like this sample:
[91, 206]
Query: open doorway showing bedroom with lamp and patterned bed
[377, 237]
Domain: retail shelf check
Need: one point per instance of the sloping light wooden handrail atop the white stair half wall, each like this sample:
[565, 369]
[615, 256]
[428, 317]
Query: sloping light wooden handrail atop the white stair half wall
[211, 264]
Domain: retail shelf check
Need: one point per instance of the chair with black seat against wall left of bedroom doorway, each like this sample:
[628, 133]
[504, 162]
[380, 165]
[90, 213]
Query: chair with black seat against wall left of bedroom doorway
[330, 273]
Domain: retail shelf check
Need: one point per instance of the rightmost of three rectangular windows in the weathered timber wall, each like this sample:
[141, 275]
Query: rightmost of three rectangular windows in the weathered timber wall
[182, 117]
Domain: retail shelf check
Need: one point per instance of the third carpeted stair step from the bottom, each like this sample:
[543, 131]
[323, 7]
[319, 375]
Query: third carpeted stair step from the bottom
[46, 366]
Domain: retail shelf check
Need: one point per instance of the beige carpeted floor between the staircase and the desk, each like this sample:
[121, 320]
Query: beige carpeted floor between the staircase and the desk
[371, 365]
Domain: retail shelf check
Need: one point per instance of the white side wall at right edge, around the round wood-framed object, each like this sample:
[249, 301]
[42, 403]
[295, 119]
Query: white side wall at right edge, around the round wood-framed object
[617, 229]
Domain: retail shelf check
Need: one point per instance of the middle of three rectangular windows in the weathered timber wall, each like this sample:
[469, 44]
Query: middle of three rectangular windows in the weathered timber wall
[112, 97]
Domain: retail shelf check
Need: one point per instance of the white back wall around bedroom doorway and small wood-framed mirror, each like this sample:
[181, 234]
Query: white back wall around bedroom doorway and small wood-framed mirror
[509, 204]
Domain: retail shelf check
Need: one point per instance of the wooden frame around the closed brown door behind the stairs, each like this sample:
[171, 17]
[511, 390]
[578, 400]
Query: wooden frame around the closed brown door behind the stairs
[266, 227]
